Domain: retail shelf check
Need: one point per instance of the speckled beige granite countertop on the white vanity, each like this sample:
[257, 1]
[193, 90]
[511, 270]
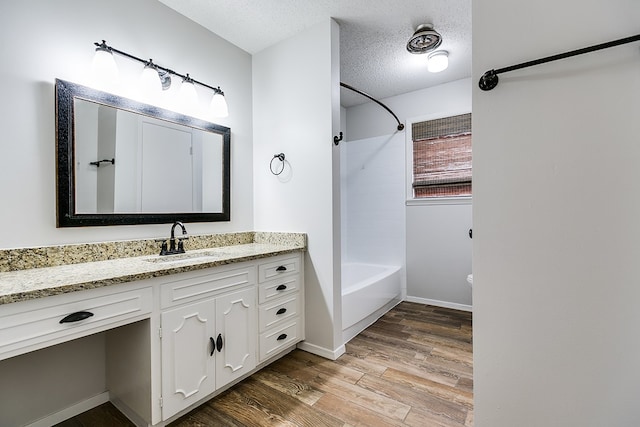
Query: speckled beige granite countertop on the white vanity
[34, 283]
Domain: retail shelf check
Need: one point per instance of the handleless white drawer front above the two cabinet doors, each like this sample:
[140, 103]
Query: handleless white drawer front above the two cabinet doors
[201, 286]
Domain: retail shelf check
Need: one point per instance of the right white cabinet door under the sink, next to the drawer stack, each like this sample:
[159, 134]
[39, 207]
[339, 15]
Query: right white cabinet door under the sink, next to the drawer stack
[236, 326]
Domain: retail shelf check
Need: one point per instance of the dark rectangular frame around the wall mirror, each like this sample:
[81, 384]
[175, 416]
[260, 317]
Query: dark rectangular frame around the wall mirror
[66, 92]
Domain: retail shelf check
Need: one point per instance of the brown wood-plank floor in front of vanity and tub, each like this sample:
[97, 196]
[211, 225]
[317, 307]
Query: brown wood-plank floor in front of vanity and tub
[413, 367]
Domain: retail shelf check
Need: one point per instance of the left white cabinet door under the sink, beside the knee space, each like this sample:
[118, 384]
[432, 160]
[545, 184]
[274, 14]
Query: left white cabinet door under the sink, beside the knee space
[188, 358]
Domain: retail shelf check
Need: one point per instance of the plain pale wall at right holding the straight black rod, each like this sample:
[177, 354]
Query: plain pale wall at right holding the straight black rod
[556, 208]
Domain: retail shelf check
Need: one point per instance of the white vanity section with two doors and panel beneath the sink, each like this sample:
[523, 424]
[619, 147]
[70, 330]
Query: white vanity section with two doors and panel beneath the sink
[208, 343]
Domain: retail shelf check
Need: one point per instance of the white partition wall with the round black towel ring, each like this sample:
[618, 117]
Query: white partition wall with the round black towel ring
[296, 111]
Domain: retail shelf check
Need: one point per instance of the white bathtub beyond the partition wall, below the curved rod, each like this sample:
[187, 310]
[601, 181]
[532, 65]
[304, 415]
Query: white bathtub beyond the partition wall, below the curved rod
[368, 291]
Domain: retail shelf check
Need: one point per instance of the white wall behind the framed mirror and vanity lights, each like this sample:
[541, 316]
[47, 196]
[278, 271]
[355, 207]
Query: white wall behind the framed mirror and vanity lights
[44, 40]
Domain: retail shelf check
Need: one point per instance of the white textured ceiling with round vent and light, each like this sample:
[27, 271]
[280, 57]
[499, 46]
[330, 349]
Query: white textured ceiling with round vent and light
[373, 36]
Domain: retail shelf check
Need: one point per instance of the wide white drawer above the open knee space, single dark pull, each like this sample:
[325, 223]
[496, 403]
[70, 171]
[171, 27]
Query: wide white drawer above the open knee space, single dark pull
[39, 323]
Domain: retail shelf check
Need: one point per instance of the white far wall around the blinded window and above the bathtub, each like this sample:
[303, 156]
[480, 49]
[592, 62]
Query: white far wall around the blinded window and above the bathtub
[438, 250]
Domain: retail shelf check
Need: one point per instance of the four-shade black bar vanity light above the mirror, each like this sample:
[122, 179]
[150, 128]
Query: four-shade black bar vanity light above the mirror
[106, 69]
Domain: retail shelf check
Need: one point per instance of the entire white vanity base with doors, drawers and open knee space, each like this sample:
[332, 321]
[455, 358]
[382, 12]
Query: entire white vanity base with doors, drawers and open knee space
[170, 342]
